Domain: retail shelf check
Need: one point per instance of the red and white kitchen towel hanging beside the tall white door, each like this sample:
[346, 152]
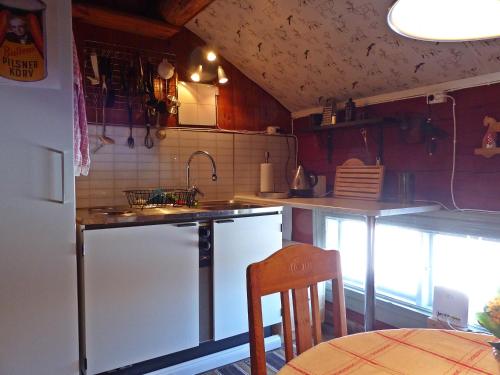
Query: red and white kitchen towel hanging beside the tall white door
[81, 156]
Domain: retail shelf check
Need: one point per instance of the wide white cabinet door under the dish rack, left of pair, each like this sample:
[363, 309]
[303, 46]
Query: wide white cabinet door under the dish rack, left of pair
[141, 293]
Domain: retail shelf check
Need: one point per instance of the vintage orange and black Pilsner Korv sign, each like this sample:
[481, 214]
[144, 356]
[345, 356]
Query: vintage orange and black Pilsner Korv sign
[22, 40]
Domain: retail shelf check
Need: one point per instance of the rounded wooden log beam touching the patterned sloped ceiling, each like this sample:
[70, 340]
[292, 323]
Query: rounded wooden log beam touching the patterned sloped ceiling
[179, 12]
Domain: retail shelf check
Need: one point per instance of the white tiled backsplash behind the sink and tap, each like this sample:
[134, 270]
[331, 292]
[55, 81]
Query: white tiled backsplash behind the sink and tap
[115, 168]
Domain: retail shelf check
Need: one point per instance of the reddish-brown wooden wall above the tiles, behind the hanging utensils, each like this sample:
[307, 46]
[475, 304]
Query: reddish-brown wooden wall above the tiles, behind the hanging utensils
[242, 105]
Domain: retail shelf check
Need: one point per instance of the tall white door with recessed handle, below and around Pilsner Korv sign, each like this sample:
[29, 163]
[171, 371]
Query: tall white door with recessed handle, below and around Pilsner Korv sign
[38, 294]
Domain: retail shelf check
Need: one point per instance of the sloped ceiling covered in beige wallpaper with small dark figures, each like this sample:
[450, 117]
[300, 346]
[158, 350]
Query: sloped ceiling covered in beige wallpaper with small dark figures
[304, 51]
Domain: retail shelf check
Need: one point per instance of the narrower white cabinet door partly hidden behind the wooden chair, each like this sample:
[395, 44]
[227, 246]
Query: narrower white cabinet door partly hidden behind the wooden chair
[239, 242]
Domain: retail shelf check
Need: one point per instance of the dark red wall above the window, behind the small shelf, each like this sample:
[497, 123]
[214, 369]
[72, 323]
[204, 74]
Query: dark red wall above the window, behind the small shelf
[477, 180]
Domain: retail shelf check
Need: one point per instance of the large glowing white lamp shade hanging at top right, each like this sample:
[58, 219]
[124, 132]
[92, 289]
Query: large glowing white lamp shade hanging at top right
[446, 20]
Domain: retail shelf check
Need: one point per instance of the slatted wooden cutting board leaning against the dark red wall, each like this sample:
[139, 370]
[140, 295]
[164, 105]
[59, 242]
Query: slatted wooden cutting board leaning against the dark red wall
[356, 180]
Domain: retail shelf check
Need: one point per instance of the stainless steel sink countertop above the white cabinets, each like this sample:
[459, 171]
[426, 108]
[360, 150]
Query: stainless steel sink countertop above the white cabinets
[88, 218]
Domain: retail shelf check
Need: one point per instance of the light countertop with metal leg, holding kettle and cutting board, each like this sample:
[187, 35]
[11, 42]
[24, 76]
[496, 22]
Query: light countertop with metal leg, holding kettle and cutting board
[345, 206]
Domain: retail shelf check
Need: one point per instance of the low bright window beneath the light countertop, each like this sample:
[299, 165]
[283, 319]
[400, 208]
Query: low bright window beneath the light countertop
[409, 262]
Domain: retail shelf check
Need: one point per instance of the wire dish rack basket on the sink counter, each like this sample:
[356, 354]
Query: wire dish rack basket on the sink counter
[160, 198]
